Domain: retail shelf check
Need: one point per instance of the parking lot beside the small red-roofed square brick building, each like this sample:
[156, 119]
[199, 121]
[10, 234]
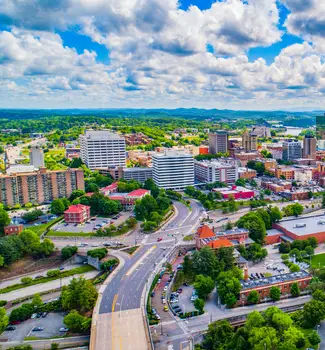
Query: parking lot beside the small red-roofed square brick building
[93, 224]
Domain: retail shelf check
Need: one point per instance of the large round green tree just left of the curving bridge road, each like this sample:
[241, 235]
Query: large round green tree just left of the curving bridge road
[79, 295]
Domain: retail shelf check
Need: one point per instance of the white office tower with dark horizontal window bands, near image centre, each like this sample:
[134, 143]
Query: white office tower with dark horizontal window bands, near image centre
[173, 170]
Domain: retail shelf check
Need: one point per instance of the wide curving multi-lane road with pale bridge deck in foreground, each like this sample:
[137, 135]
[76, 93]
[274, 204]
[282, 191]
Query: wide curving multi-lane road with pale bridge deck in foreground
[120, 309]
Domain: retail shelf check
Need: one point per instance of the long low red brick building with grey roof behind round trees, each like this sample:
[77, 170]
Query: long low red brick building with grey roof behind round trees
[263, 285]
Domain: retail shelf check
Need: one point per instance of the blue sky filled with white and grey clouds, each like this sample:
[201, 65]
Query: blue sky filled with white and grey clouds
[226, 54]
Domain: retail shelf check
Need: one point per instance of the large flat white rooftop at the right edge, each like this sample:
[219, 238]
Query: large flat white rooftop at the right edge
[304, 225]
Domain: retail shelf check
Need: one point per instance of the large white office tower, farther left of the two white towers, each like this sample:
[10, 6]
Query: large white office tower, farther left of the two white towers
[102, 148]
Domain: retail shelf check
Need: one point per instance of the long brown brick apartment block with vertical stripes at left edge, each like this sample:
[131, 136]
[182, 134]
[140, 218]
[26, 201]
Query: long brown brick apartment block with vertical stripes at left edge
[40, 186]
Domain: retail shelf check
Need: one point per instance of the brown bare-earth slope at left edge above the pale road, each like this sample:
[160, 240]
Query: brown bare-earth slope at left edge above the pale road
[28, 265]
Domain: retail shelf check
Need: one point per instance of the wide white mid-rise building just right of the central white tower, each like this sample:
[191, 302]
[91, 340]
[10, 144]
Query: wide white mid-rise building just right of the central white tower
[211, 171]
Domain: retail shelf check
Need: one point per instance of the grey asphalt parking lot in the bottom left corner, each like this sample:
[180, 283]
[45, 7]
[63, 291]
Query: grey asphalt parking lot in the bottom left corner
[51, 324]
